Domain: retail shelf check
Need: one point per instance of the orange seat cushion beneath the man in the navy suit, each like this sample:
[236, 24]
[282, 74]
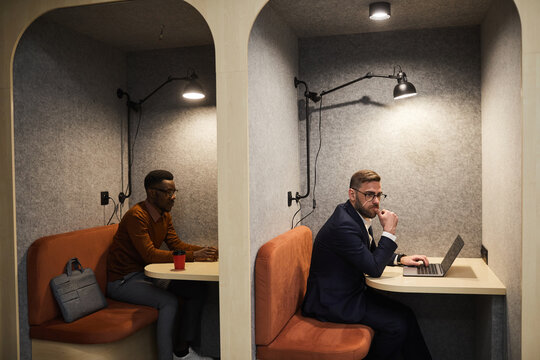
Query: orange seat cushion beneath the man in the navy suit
[306, 338]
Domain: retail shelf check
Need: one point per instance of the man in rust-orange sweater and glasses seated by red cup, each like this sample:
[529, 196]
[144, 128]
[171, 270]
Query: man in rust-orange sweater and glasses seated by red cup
[142, 231]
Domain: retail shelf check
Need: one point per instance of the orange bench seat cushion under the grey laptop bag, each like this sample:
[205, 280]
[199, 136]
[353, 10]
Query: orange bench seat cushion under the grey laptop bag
[115, 322]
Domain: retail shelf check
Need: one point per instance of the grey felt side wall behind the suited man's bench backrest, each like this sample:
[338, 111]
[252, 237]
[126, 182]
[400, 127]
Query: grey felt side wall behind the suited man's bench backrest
[273, 129]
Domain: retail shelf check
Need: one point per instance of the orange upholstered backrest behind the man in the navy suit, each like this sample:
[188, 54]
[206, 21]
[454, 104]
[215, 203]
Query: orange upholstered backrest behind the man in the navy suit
[281, 272]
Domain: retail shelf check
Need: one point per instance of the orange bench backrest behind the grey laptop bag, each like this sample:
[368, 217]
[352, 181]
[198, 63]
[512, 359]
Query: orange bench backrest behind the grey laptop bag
[47, 258]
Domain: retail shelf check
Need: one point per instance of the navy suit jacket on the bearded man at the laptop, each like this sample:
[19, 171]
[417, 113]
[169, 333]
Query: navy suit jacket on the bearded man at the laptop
[341, 256]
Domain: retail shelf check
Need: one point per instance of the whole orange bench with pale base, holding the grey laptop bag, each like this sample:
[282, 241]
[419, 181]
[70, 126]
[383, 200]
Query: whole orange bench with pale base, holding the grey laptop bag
[120, 330]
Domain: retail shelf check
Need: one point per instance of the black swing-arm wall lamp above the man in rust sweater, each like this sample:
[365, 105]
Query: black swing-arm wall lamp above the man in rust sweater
[192, 91]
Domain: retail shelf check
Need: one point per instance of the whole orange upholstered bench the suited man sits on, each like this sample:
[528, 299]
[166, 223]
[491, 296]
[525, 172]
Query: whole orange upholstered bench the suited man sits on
[281, 332]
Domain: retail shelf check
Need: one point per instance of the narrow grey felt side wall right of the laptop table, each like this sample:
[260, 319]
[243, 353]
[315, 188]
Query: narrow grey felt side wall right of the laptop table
[502, 157]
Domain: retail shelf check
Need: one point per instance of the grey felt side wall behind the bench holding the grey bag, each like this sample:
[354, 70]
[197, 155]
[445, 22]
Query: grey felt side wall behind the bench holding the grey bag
[67, 130]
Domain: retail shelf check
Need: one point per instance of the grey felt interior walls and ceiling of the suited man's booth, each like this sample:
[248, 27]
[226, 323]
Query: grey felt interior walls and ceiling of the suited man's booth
[444, 155]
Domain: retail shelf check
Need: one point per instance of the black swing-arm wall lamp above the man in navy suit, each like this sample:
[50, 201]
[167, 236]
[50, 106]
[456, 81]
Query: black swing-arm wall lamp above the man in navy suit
[402, 90]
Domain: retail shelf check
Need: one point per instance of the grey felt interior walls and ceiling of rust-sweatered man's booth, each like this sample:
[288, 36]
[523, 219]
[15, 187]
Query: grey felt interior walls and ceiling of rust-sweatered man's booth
[73, 71]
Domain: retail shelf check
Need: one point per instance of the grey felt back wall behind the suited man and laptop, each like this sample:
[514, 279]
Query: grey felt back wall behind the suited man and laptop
[427, 148]
